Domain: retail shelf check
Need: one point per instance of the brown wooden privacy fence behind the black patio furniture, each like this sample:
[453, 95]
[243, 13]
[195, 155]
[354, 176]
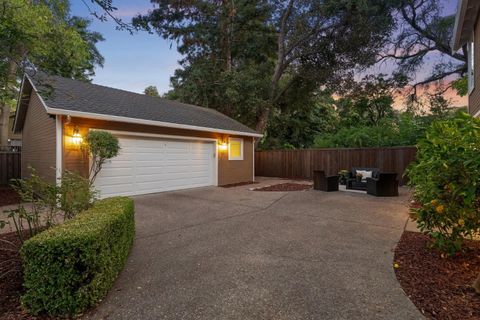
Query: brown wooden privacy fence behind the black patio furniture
[301, 163]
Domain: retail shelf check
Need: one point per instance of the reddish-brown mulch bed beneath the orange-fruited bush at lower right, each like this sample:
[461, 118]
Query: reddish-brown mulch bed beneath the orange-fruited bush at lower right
[441, 288]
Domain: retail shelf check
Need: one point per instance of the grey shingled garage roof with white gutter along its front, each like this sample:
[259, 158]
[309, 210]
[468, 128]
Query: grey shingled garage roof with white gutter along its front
[82, 99]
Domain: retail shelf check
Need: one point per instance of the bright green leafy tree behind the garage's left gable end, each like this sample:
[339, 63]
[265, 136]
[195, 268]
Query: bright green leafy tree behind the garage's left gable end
[41, 34]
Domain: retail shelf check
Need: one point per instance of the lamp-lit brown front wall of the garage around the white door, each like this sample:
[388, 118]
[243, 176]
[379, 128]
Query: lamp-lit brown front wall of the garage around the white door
[229, 171]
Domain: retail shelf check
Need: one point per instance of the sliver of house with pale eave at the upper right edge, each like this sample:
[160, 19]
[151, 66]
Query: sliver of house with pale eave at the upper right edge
[466, 36]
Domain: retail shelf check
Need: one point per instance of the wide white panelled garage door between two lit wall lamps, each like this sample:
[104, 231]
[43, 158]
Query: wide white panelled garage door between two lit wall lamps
[147, 165]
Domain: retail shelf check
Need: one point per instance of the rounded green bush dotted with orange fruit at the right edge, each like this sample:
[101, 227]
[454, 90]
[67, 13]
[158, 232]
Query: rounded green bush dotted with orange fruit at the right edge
[446, 180]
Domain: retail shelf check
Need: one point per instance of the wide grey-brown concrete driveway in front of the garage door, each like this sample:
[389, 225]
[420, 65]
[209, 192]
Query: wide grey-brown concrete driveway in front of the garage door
[215, 253]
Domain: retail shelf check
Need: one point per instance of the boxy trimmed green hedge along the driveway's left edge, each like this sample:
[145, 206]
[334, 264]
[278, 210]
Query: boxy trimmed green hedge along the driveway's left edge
[70, 267]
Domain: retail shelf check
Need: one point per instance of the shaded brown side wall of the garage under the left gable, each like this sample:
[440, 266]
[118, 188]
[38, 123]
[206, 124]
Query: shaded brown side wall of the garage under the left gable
[38, 141]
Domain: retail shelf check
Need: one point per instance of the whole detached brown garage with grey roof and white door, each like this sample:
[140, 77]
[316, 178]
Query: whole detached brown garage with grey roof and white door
[165, 145]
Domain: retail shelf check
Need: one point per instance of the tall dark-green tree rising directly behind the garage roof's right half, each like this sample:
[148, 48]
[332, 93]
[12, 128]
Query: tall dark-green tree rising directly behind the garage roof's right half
[271, 46]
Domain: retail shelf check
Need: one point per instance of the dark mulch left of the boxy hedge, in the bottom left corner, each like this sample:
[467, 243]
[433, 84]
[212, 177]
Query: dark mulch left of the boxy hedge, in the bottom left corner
[11, 284]
